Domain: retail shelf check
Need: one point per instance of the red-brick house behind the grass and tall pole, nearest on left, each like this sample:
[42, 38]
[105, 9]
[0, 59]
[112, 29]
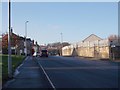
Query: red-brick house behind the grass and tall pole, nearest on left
[17, 44]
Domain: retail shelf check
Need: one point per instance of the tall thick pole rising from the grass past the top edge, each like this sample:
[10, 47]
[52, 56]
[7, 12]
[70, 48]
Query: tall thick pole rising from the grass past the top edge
[9, 41]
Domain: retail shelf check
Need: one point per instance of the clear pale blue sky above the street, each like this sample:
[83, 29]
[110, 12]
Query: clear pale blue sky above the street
[75, 20]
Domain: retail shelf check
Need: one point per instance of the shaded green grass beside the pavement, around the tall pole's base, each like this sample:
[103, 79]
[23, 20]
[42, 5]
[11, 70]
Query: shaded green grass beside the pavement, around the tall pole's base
[16, 61]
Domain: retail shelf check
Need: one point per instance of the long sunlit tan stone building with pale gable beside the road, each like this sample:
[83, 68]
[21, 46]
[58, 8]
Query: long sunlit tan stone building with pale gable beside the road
[92, 46]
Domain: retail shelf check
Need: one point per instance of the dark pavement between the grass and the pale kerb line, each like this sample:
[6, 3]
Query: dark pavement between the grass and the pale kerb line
[28, 75]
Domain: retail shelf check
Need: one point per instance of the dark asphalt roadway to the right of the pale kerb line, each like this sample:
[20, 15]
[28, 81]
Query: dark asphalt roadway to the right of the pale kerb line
[72, 72]
